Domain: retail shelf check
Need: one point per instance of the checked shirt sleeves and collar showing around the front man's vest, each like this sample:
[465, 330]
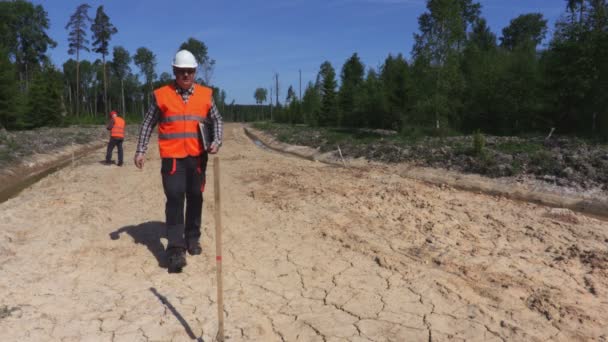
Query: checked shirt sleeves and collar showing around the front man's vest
[152, 118]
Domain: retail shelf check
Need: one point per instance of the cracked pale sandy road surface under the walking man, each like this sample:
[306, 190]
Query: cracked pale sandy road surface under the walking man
[312, 252]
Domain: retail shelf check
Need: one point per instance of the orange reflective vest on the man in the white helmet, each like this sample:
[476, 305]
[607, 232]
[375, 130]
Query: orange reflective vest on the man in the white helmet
[178, 135]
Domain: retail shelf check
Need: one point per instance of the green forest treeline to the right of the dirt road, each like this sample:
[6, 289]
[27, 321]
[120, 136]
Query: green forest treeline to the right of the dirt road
[463, 78]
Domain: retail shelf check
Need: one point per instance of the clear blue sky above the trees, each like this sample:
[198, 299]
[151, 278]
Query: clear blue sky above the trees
[252, 40]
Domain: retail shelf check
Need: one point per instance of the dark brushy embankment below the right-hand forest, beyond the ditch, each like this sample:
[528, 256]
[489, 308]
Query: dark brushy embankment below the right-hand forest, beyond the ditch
[559, 160]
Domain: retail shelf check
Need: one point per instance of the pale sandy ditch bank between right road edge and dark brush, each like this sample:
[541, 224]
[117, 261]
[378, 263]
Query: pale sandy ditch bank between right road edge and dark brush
[592, 199]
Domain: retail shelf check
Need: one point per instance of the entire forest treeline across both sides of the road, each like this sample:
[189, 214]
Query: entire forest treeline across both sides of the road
[461, 76]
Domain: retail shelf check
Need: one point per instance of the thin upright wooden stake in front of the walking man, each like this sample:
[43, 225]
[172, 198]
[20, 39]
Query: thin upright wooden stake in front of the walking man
[218, 248]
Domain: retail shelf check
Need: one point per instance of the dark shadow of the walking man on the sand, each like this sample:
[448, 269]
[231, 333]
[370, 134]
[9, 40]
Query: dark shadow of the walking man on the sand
[148, 234]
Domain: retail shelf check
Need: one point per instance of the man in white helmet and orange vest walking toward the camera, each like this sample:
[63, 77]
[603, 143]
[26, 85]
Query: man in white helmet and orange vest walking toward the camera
[178, 108]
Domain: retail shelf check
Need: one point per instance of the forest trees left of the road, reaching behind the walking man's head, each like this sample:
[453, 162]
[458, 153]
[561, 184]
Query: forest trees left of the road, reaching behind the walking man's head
[34, 92]
